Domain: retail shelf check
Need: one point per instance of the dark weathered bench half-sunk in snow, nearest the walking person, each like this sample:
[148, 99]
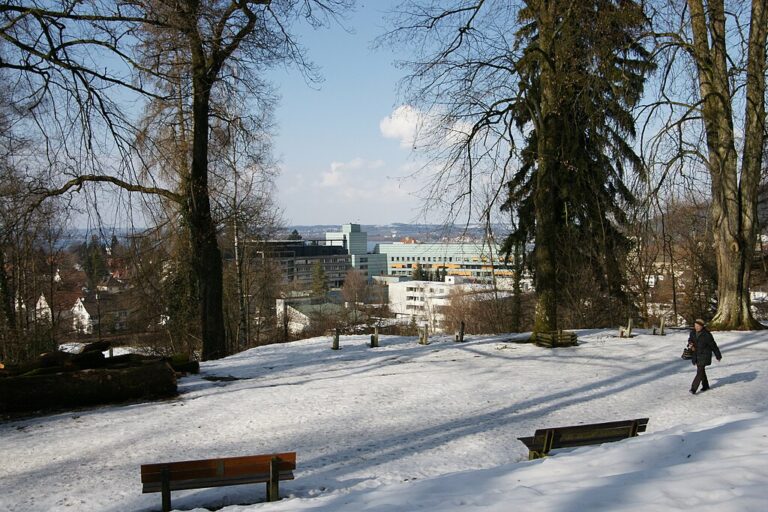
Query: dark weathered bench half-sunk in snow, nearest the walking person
[546, 439]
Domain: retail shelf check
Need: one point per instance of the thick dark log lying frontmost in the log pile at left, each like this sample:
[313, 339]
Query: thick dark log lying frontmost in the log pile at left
[86, 387]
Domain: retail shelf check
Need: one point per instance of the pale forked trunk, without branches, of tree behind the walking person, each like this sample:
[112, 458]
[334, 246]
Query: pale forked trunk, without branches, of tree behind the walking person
[734, 194]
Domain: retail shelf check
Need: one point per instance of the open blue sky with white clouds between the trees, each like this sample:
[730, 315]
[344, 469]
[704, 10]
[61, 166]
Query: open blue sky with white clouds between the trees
[341, 150]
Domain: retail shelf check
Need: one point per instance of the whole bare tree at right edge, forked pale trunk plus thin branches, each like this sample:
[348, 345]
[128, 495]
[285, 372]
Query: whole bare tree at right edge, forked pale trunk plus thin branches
[727, 46]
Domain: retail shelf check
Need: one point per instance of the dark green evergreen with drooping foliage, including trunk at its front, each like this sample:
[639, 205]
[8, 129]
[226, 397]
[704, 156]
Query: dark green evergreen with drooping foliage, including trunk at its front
[582, 72]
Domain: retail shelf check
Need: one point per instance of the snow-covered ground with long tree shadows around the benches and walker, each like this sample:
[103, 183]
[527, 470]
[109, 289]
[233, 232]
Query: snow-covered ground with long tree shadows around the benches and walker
[410, 427]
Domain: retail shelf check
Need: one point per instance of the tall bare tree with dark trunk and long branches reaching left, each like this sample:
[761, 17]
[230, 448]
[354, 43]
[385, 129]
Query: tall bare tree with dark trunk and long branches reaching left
[204, 44]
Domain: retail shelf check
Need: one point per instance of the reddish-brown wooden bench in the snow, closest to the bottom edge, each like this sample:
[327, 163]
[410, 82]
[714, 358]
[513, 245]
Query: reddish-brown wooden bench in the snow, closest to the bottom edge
[198, 474]
